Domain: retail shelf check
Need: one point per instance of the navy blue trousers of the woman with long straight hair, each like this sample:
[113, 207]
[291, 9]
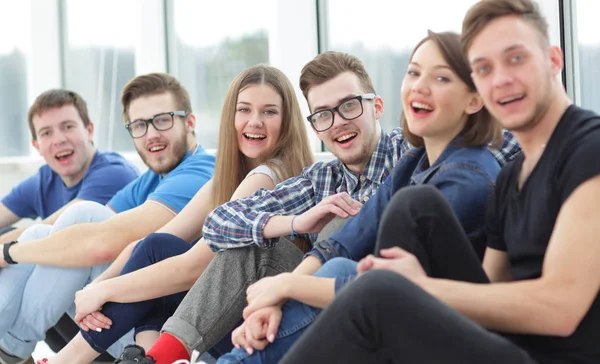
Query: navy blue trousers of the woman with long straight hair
[149, 315]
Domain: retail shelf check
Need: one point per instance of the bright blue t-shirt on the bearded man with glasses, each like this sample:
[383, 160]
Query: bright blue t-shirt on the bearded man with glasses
[174, 190]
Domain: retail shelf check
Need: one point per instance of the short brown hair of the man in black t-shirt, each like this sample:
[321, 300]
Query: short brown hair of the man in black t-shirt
[483, 12]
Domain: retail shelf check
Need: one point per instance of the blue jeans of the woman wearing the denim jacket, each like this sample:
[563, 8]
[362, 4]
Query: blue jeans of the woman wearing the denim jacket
[297, 317]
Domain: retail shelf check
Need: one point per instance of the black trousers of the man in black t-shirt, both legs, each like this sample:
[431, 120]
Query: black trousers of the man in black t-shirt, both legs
[384, 318]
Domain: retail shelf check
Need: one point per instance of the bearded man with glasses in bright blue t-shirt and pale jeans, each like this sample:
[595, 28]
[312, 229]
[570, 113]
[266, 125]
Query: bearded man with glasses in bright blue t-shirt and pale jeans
[88, 236]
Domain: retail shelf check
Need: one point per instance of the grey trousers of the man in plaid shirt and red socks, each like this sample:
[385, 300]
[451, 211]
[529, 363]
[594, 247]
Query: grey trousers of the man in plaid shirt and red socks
[215, 303]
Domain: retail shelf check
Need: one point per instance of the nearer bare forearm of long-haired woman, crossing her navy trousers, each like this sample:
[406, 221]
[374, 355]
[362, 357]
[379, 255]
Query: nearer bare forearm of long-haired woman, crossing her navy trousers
[172, 275]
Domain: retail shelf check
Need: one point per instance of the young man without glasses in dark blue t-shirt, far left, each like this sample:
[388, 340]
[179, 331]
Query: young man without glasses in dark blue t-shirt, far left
[62, 132]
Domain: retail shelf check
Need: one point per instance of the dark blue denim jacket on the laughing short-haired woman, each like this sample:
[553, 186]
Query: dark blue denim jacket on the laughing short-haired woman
[464, 175]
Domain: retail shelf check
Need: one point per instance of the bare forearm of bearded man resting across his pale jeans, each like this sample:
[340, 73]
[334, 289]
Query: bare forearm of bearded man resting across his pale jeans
[81, 245]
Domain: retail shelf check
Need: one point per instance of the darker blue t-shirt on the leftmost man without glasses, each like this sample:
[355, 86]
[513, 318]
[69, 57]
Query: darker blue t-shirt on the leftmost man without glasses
[44, 193]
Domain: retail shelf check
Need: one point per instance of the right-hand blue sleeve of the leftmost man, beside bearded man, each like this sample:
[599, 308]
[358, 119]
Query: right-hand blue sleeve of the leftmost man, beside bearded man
[103, 182]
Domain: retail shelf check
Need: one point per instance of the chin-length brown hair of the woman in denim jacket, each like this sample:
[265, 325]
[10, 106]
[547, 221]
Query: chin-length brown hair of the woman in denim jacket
[480, 128]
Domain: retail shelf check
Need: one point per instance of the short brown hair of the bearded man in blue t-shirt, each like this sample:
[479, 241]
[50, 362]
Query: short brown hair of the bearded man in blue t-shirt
[154, 84]
